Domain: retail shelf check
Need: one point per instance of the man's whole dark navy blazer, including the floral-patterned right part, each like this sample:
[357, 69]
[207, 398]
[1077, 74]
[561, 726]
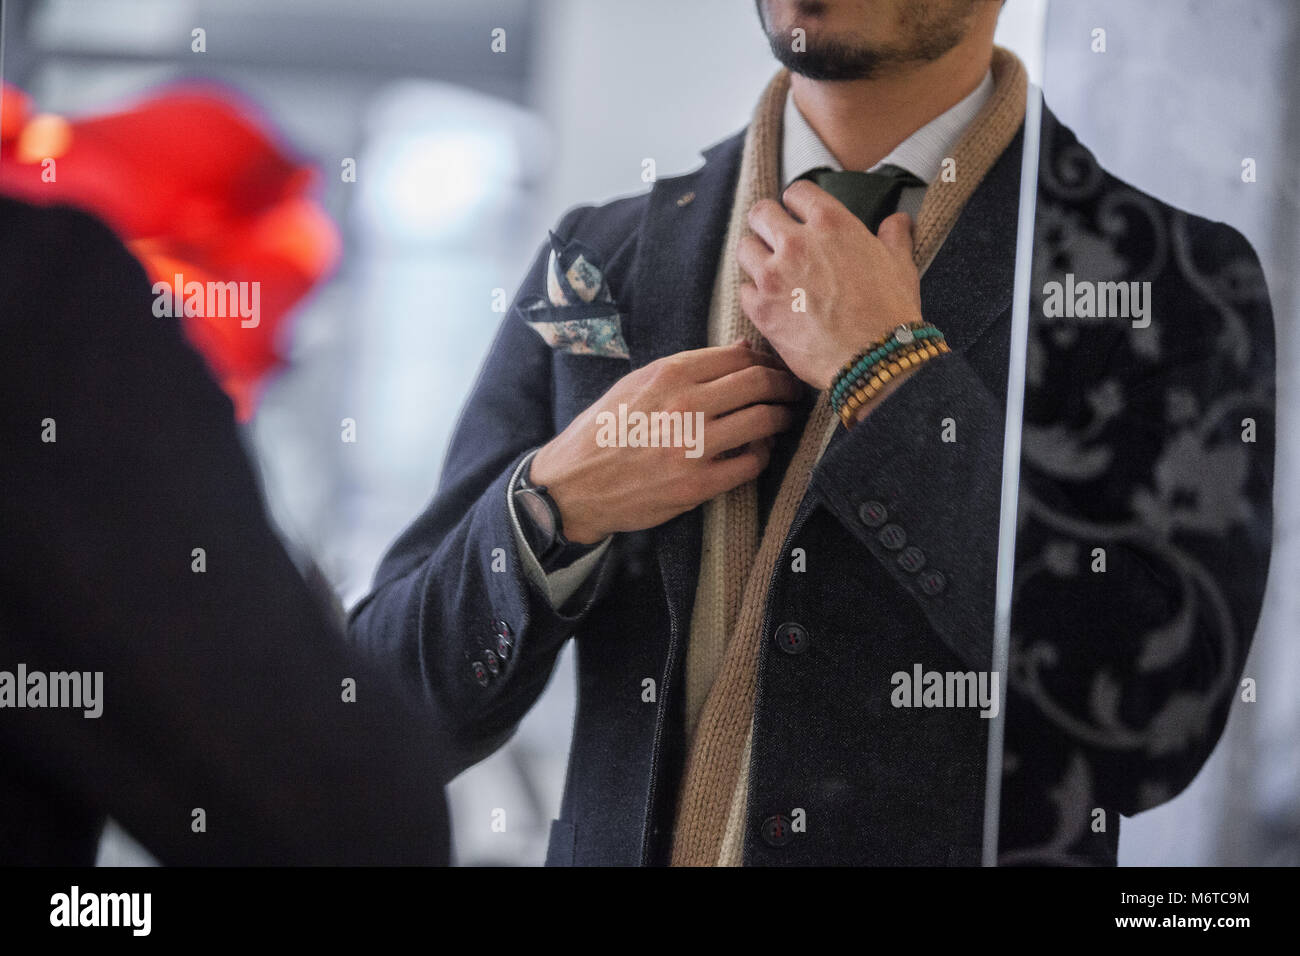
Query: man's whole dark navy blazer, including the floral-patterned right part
[1123, 678]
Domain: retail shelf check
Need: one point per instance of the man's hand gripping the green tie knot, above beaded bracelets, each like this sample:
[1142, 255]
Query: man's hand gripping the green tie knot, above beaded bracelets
[856, 287]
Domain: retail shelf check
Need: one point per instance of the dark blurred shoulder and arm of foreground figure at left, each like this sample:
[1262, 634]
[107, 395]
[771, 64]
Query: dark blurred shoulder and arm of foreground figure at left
[223, 690]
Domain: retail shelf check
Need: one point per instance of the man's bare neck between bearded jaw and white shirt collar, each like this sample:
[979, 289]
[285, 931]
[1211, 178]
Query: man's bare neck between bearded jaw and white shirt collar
[861, 122]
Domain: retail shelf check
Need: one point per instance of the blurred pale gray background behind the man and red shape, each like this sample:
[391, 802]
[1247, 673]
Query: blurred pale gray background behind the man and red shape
[466, 158]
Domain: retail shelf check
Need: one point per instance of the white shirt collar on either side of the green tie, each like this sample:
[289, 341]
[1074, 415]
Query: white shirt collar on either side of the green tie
[922, 154]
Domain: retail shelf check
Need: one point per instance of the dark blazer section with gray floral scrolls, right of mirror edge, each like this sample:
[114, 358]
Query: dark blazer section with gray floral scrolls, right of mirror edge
[1146, 504]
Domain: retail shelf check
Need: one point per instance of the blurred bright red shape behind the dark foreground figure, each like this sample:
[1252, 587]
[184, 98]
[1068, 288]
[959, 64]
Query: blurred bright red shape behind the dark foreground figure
[197, 188]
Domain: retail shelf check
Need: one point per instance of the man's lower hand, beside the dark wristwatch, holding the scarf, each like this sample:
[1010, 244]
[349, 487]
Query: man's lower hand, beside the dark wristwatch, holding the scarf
[604, 490]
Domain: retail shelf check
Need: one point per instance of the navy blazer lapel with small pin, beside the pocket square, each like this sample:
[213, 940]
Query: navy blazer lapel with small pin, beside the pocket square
[678, 256]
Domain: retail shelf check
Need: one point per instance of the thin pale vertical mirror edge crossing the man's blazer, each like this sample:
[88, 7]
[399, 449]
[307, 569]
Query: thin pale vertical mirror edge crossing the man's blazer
[1012, 444]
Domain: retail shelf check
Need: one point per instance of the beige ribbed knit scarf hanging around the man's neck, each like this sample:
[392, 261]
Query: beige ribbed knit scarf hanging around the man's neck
[736, 564]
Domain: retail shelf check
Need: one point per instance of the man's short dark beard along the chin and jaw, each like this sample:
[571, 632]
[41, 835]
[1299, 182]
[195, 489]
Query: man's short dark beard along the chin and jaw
[831, 59]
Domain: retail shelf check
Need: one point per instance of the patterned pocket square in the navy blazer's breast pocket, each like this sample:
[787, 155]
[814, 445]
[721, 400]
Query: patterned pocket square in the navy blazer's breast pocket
[579, 314]
